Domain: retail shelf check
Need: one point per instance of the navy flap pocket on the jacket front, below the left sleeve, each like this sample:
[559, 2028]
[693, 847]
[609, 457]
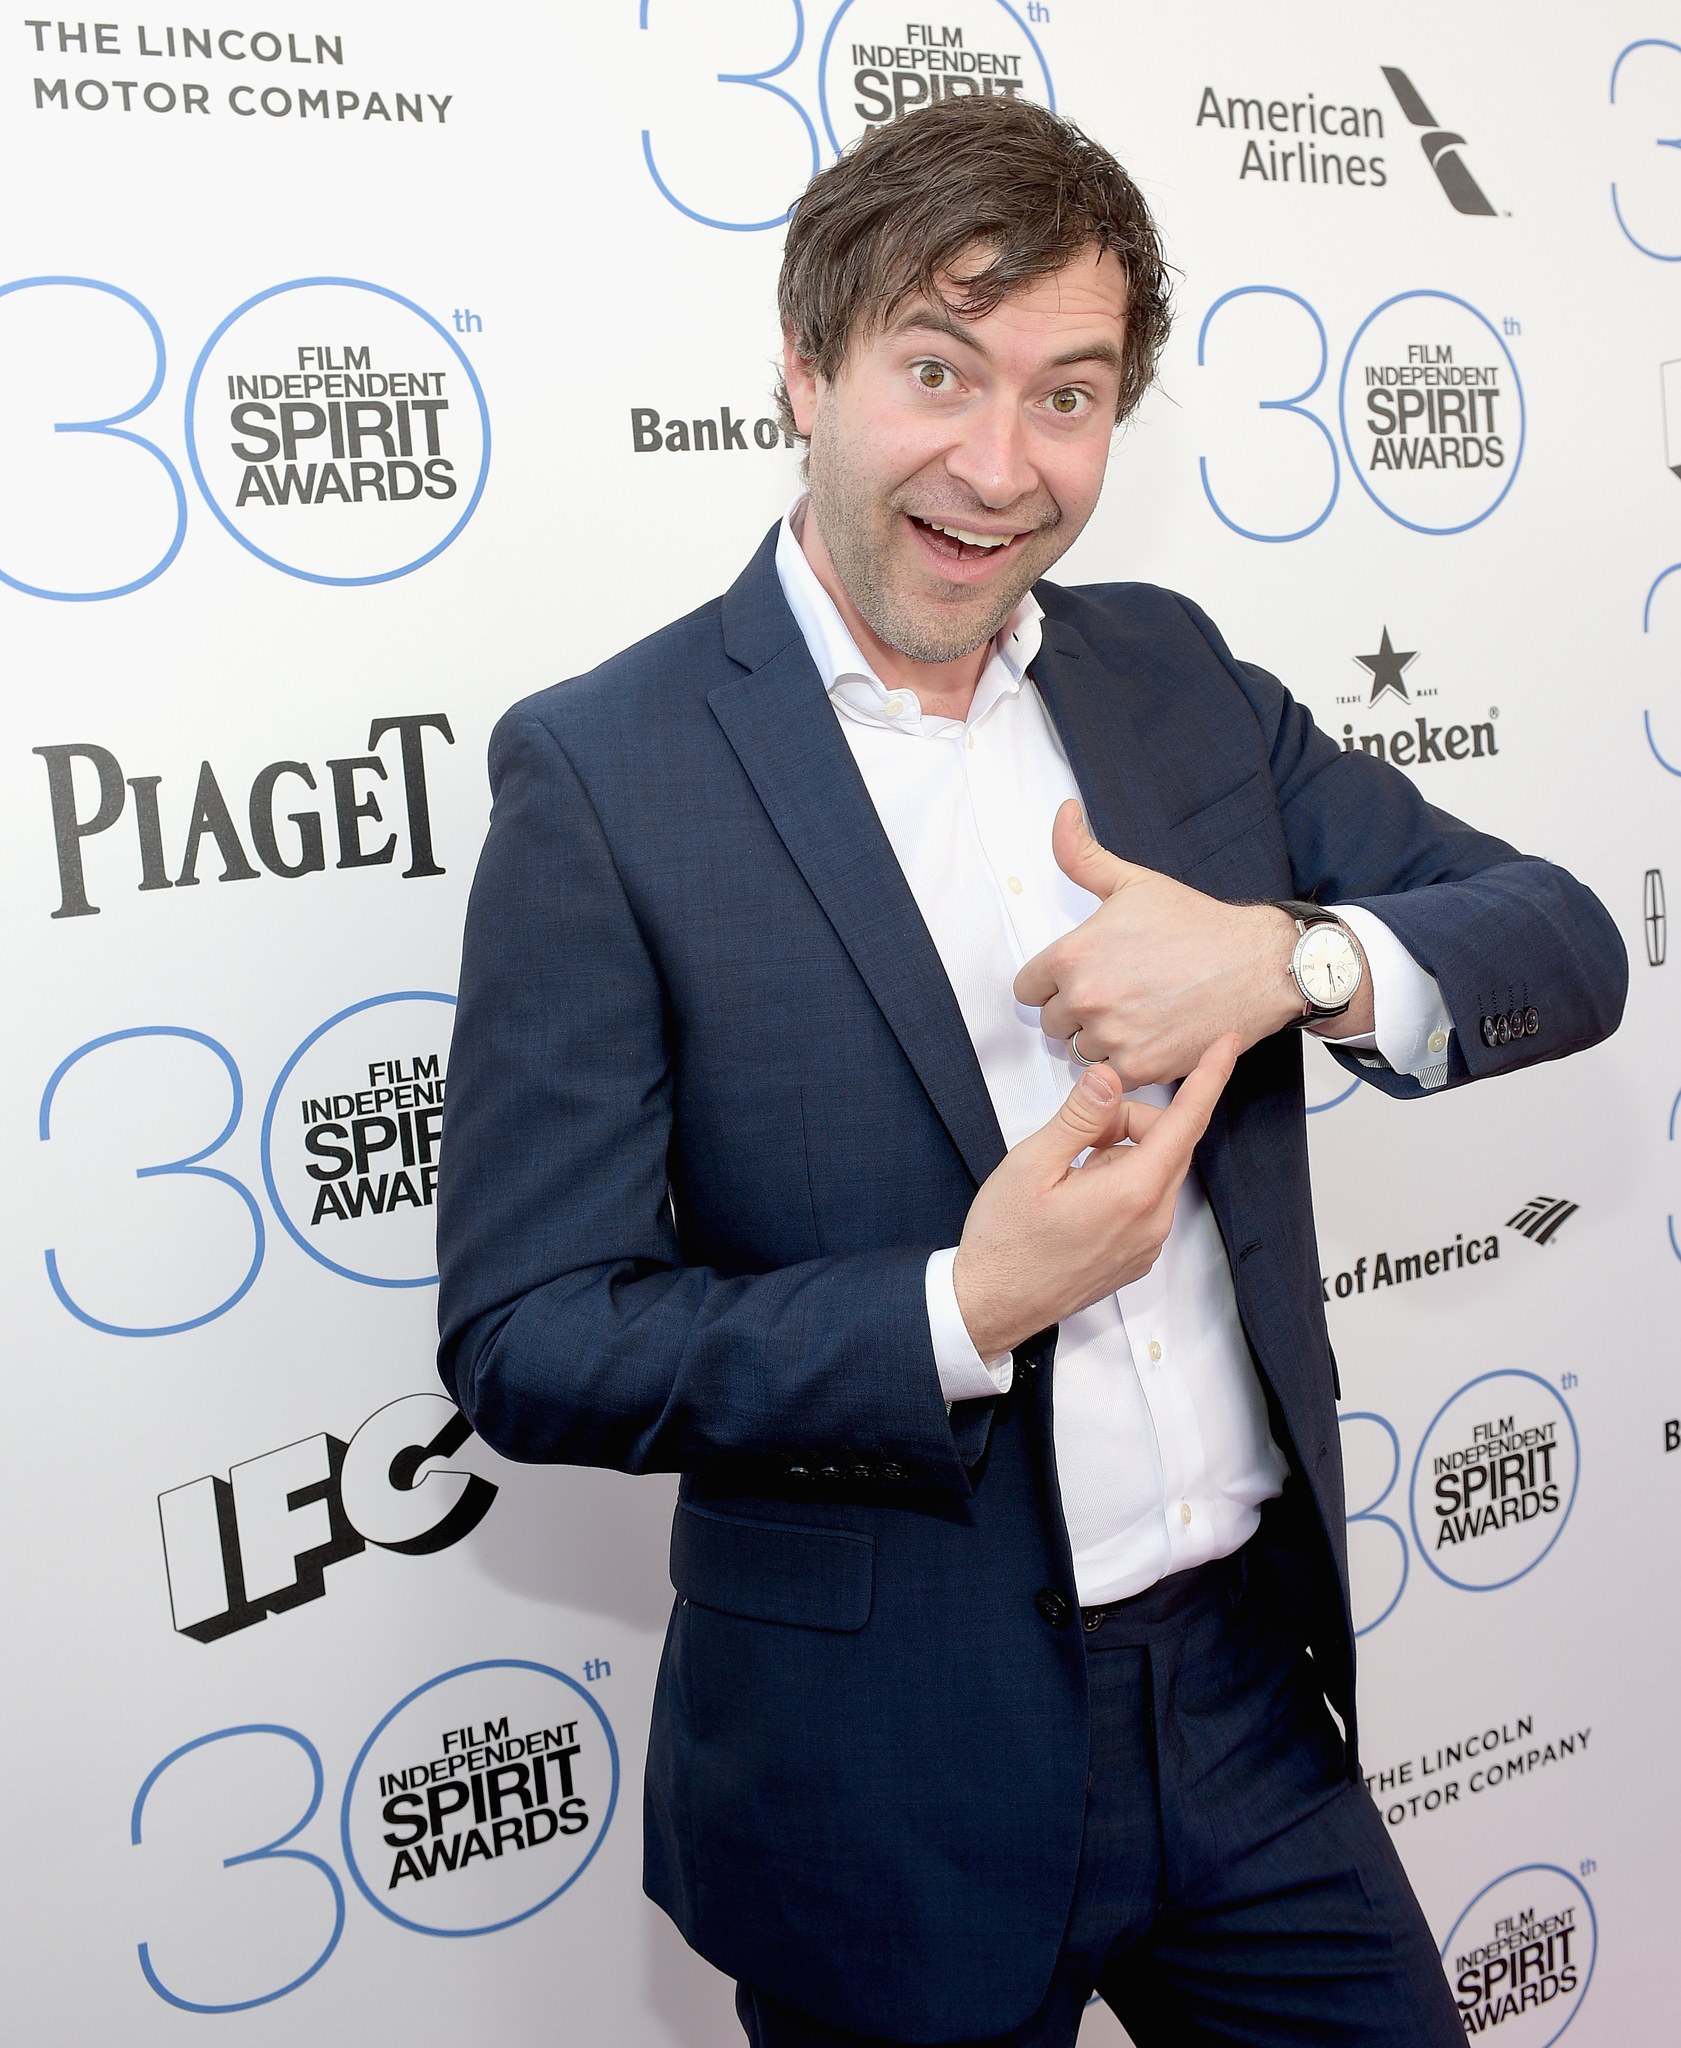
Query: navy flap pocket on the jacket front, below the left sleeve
[773, 1572]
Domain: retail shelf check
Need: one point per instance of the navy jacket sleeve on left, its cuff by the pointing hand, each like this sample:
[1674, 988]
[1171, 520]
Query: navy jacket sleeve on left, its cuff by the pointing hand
[570, 1328]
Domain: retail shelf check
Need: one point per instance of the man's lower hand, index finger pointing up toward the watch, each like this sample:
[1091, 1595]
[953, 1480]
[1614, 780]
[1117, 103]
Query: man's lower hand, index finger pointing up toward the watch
[1045, 1238]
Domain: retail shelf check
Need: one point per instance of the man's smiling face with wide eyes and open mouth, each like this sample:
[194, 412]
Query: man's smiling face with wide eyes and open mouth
[953, 462]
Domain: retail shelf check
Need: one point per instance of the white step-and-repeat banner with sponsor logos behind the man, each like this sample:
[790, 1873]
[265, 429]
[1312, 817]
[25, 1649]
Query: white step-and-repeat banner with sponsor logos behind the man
[370, 370]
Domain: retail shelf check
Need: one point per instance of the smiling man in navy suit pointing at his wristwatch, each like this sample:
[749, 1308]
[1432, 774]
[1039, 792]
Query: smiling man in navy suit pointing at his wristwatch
[1010, 1547]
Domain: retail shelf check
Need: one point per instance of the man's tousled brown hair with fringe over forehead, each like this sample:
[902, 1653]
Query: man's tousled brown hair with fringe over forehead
[900, 210]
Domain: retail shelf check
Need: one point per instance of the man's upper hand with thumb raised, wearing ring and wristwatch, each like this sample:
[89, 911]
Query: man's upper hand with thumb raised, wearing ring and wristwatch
[1160, 972]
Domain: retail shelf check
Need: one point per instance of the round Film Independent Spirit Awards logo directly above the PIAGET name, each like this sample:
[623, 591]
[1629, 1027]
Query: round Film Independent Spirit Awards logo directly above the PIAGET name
[337, 431]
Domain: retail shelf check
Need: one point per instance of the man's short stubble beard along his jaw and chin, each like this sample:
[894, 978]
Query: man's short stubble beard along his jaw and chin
[857, 529]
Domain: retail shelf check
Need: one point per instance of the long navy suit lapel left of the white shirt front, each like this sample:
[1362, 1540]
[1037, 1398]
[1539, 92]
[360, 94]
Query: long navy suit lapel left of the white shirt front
[789, 742]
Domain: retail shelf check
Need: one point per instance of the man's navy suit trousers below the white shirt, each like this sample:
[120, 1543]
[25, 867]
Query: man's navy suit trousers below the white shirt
[1234, 1883]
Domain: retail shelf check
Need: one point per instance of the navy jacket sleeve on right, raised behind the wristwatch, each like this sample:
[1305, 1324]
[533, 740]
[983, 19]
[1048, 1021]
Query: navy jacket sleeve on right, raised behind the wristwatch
[1498, 929]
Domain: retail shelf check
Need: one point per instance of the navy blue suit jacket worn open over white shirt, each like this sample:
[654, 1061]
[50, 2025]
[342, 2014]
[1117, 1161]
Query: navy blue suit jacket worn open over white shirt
[712, 1109]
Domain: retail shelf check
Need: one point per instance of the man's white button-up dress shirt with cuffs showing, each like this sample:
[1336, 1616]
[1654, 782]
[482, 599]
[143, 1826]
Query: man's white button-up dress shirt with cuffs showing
[1160, 1422]
